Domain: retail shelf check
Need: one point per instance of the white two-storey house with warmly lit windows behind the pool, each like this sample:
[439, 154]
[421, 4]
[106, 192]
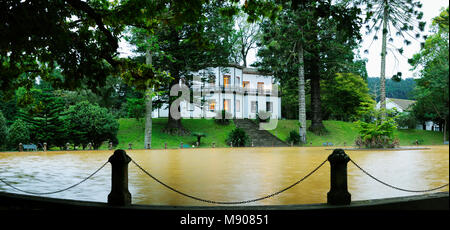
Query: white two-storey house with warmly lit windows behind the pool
[240, 91]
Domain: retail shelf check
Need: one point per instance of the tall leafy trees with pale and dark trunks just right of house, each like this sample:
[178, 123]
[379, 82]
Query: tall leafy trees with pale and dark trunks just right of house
[296, 46]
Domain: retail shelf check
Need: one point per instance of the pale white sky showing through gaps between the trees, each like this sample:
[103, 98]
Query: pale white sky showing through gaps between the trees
[430, 9]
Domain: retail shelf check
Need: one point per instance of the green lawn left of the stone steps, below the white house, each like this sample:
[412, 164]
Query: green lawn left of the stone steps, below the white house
[132, 131]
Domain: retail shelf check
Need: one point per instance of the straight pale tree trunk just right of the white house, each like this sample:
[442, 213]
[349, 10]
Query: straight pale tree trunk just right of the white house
[301, 95]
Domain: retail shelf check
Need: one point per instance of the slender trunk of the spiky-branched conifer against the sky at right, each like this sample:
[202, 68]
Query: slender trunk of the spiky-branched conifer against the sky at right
[383, 66]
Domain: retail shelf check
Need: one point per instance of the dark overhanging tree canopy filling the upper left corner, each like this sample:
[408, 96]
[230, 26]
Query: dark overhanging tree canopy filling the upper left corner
[73, 41]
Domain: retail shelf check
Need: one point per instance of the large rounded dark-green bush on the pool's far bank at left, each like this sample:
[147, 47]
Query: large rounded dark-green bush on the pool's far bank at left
[90, 123]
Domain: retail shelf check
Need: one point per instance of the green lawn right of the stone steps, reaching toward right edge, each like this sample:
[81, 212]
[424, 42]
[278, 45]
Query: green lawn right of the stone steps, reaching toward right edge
[340, 132]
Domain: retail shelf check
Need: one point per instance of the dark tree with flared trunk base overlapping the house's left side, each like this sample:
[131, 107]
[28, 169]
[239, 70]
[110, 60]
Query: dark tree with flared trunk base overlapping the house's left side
[186, 48]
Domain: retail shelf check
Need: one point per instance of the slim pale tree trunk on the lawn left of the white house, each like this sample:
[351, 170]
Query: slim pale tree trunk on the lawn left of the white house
[148, 106]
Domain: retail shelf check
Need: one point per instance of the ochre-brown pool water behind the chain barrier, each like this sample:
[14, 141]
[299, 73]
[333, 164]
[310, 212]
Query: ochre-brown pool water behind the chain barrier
[226, 174]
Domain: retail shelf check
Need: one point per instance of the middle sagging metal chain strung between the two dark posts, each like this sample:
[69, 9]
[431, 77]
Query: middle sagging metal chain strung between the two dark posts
[229, 203]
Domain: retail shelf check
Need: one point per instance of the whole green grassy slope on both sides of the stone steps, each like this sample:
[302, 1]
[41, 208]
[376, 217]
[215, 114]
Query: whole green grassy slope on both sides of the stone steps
[132, 131]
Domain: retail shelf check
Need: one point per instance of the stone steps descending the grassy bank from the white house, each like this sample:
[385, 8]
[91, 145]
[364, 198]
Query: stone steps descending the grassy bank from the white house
[259, 137]
